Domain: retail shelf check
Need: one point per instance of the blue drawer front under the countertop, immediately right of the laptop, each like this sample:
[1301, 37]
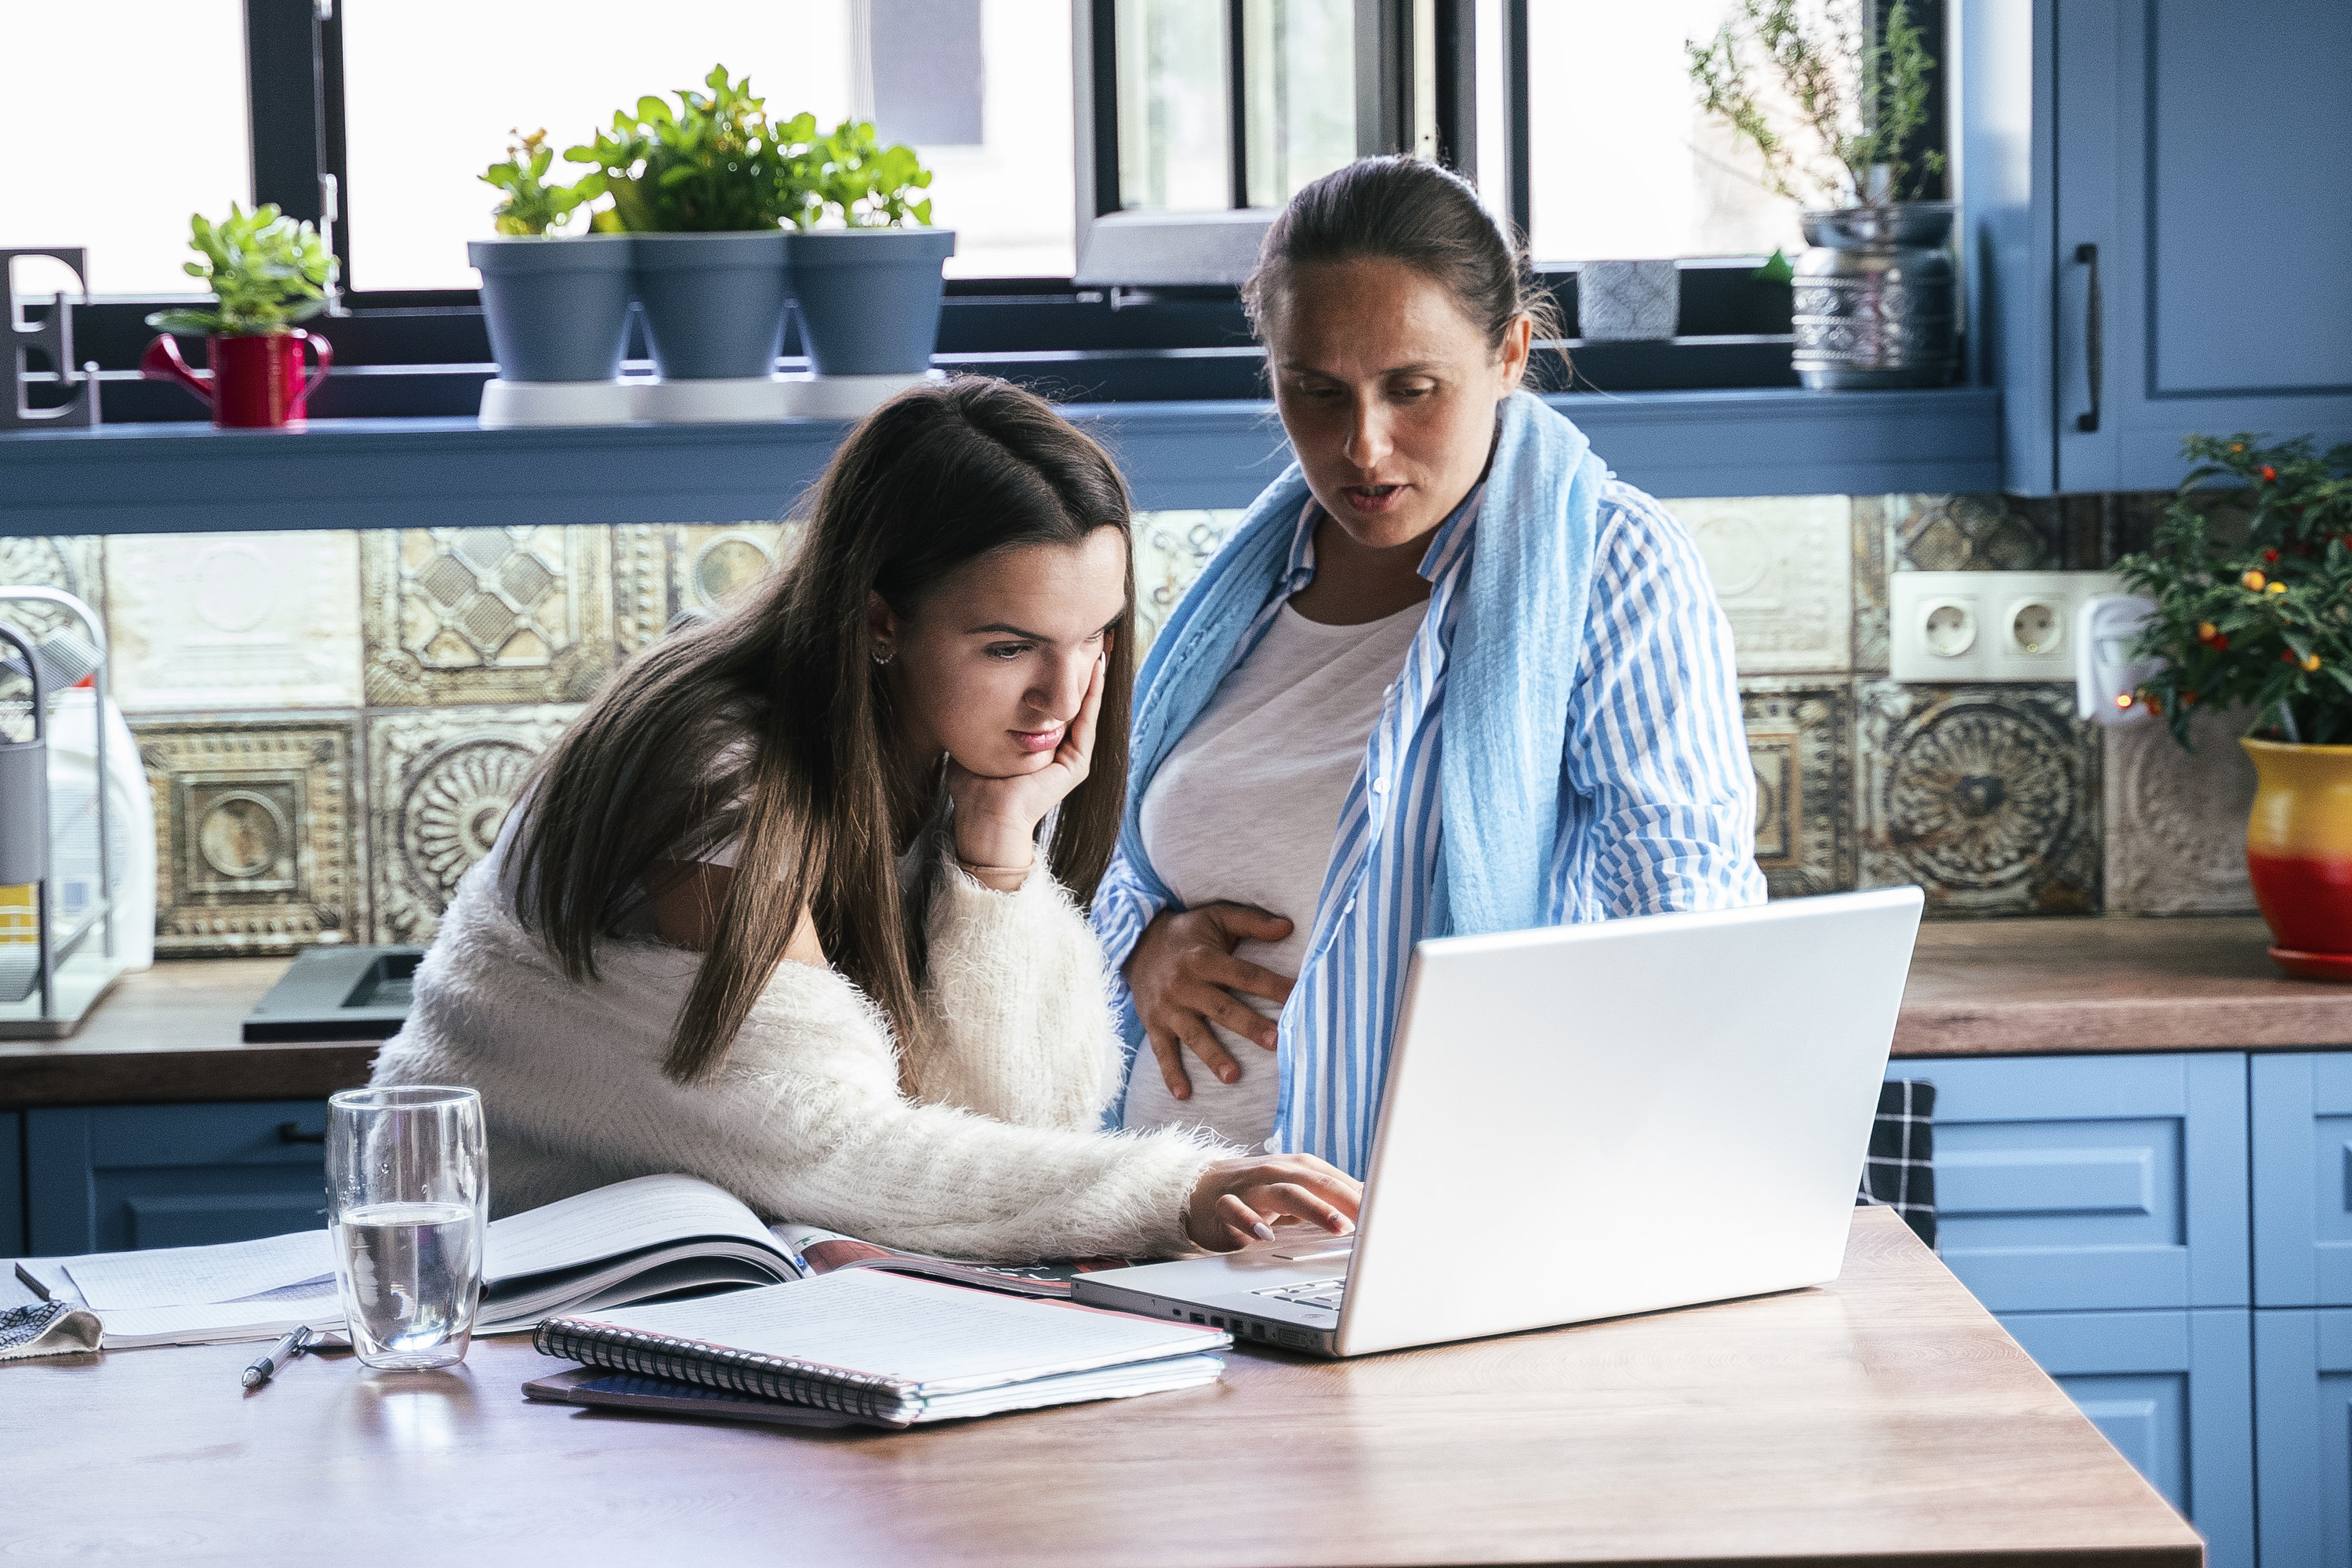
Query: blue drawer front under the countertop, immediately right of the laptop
[2092, 1181]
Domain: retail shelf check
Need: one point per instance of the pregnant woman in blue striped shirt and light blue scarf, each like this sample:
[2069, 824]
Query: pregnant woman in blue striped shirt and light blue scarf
[1448, 678]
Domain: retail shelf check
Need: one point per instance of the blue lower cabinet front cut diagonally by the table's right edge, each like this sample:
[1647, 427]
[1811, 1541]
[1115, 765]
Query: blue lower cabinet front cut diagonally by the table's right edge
[2174, 1393]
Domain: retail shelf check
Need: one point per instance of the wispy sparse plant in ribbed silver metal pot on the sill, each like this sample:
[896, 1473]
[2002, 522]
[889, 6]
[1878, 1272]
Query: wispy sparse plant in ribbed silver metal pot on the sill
[1831, 109]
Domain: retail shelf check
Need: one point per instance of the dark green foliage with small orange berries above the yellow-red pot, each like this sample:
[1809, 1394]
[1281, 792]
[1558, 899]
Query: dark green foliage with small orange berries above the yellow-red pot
[2259, 619]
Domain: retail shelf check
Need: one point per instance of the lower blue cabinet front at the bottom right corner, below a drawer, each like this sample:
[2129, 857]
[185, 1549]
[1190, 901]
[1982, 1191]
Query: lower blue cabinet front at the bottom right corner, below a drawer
[2304, 1433]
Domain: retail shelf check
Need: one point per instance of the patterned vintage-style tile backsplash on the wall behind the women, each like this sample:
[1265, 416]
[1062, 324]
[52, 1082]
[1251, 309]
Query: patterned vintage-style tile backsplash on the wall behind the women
[338, 723]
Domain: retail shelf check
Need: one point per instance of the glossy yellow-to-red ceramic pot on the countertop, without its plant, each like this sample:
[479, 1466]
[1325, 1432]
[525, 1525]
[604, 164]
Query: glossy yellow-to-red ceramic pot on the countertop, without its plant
[2299, 852]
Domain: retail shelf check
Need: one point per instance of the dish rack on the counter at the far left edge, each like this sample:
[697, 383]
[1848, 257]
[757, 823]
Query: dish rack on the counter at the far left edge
[58, 918]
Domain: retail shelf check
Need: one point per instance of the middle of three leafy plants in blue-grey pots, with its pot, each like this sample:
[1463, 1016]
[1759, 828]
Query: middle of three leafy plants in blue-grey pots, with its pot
[702, 192]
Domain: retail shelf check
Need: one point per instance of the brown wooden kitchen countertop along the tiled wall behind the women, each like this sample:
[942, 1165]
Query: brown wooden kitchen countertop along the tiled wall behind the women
[1977, 989]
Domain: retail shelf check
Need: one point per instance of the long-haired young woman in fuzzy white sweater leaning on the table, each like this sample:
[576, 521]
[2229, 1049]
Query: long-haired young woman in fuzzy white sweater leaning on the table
[900, 1026]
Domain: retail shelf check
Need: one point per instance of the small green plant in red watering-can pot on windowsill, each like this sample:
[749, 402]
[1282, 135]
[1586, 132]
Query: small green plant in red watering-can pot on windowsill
[267, 274]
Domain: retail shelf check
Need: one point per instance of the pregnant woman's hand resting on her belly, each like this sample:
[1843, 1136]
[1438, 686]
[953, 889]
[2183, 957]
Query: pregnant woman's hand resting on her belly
[1184, 977]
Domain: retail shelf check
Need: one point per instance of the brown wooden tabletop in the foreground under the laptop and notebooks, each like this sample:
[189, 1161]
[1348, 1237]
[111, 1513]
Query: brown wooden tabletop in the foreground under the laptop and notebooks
[1878, 1421]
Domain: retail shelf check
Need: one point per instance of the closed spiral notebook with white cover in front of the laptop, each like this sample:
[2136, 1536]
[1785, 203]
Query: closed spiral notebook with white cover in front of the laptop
[890, 1348]
